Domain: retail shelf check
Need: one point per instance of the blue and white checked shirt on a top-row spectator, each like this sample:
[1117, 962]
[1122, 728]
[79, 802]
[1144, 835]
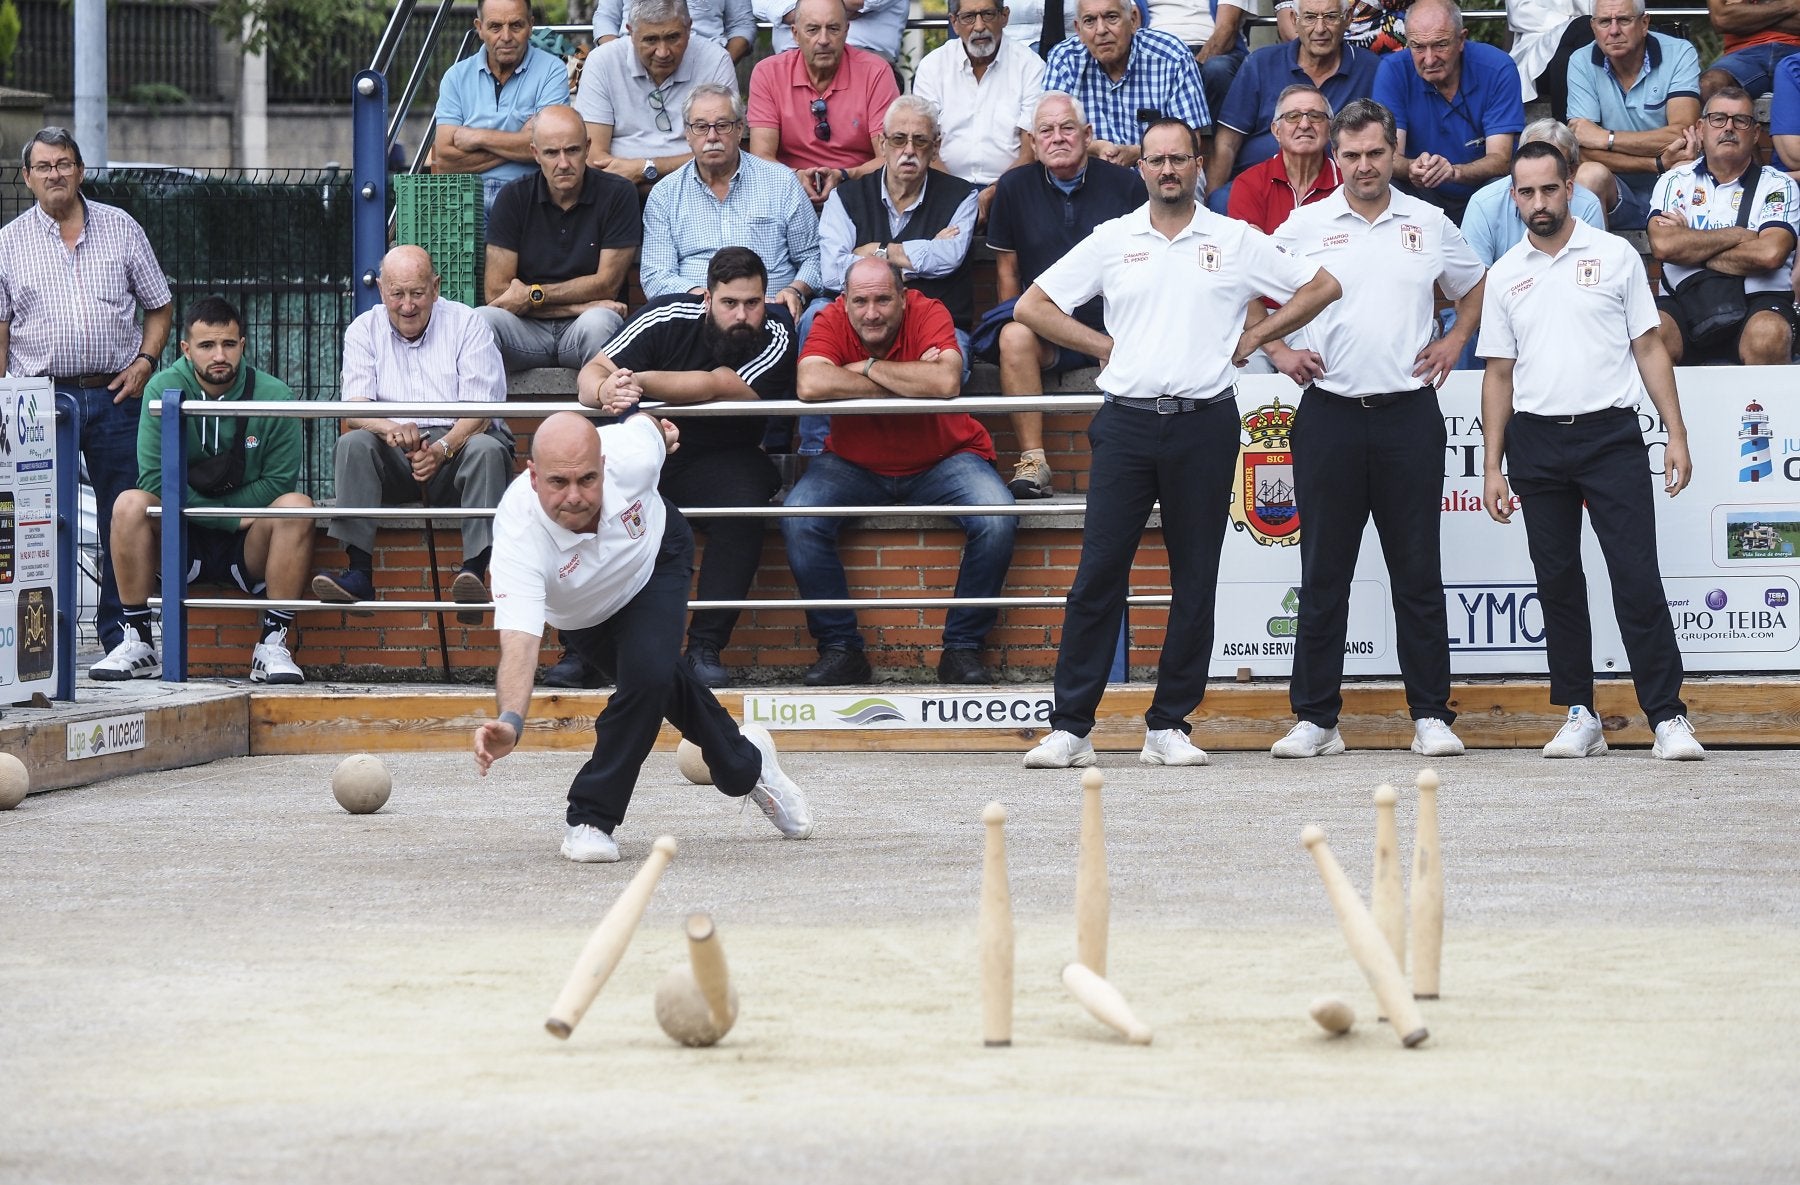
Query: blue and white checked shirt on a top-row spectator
[1160, 77]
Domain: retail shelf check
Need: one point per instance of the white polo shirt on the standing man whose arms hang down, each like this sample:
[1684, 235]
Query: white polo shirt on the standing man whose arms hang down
[1569, 323]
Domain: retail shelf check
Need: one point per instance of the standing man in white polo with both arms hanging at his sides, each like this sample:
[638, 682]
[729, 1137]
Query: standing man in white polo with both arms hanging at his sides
[1569, 330]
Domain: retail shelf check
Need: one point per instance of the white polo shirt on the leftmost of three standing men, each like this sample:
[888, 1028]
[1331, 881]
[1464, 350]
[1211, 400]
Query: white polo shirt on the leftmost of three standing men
[1174, 307]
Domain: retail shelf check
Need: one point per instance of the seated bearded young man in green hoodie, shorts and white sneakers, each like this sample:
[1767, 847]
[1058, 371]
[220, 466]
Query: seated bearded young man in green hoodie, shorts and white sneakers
[231, 462]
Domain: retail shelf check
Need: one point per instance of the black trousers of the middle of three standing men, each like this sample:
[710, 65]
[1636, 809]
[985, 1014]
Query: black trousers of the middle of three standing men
[1354, 464]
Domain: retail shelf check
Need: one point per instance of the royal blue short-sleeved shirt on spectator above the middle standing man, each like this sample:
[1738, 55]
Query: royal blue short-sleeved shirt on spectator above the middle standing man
[1488, 104]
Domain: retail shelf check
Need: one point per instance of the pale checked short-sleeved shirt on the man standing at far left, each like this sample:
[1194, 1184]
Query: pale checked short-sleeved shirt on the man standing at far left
[75, 312]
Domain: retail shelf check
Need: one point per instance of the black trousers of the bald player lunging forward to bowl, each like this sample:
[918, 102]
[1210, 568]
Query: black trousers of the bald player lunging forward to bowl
[643, 646]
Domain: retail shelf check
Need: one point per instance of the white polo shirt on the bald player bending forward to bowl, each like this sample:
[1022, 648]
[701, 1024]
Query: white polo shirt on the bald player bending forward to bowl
[543, 572]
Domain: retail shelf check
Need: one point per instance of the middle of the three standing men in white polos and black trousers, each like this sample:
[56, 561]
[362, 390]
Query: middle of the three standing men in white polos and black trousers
[1369, 440]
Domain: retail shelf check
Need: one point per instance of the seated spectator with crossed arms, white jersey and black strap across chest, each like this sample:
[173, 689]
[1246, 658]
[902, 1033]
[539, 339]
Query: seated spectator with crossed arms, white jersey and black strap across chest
[1700, 230]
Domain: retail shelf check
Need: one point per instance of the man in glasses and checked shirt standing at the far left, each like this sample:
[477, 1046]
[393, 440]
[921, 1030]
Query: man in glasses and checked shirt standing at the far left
[85, 336]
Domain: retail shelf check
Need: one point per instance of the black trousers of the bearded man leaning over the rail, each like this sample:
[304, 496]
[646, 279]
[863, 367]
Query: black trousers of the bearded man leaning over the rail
[733, 547]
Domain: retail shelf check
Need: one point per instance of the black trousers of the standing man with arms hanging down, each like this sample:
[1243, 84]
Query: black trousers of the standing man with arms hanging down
[1599, 460]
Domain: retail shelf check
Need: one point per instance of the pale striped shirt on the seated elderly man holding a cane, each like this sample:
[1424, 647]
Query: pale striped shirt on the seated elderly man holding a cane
[454, 361]
